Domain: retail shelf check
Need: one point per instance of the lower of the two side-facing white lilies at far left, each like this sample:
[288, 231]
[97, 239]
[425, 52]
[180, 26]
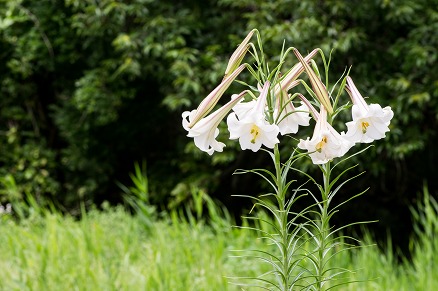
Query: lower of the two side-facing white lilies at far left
[205, 131]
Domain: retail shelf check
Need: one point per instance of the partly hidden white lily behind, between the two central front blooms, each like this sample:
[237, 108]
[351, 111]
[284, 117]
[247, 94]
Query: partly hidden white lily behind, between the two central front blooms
[291, 118]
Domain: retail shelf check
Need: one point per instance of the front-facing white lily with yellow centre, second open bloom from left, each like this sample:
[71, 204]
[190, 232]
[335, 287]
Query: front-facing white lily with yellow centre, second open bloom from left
[253, 130]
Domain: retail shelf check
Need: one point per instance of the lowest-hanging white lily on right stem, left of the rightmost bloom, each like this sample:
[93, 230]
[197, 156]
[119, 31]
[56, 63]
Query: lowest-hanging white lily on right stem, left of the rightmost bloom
[326, 143]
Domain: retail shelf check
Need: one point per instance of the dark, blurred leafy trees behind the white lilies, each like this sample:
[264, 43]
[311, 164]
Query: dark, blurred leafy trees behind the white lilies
[89, 87]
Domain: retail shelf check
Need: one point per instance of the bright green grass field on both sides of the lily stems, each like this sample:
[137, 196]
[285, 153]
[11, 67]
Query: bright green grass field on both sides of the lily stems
[113, 250]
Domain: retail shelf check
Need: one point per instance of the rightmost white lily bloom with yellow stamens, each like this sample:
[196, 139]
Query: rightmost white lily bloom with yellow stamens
[370, 122]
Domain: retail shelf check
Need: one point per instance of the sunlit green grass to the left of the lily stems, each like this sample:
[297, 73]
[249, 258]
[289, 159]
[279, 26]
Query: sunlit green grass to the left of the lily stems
[113, 251]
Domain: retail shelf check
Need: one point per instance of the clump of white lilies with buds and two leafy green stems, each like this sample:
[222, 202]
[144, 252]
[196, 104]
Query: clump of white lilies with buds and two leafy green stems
[266, 108]
